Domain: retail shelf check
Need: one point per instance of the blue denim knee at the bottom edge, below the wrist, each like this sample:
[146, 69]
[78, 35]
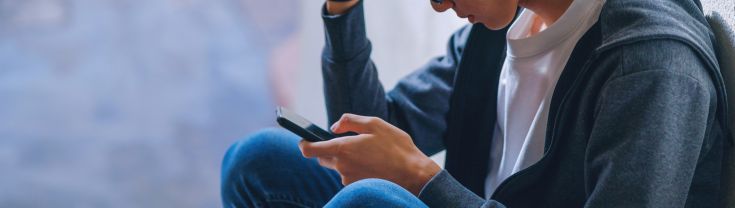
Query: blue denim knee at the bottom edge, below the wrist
[375, 193]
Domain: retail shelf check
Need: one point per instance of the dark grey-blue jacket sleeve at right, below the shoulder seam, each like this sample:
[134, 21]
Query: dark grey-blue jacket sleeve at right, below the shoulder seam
[650, 128]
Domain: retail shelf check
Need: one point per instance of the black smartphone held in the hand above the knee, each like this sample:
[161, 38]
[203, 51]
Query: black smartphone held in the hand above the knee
[302, 127]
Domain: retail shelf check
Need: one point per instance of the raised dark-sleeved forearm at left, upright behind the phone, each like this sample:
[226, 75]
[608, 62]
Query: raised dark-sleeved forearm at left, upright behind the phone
[351, 82]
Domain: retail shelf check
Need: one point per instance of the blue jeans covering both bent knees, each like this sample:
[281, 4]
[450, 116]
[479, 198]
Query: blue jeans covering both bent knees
[266, 169]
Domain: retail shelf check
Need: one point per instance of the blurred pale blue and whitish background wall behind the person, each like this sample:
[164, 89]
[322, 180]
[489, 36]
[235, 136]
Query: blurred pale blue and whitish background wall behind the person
[109, 103]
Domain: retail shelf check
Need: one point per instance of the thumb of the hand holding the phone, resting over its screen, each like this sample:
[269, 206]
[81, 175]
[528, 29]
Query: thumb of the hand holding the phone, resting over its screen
[356, 123]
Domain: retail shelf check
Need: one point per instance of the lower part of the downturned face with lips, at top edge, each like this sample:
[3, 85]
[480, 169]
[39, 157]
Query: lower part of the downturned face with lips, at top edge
[494, 14]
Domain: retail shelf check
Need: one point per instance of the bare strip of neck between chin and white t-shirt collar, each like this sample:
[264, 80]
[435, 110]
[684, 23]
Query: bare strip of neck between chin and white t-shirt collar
[548, 10]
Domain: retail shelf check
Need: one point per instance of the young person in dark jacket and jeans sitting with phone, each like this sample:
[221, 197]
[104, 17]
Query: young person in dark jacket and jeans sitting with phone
[594, 103]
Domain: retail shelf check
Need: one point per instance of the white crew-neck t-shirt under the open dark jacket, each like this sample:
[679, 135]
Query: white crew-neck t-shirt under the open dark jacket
[530, 72]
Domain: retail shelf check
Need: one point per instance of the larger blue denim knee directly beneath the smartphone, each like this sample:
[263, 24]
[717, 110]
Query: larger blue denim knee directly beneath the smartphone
[268, 170]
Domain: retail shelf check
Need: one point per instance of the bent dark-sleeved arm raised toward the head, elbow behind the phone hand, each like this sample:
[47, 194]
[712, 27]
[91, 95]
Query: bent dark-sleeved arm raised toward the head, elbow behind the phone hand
[417, 104]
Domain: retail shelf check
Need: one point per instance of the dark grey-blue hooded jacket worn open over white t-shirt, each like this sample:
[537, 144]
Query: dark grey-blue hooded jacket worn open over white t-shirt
[637, 118]
